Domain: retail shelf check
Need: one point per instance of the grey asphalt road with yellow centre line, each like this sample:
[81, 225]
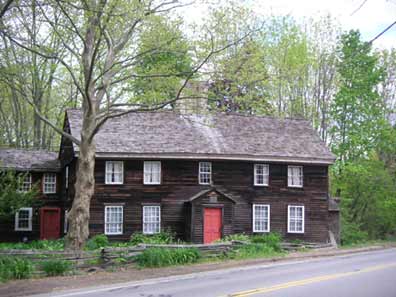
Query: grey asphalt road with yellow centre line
[370, 274]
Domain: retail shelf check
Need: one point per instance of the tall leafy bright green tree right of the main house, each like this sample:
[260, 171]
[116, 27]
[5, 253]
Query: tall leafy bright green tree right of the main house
[358, 112]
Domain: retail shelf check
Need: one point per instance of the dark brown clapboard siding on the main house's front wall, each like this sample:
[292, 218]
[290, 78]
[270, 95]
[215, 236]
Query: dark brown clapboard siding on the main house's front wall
[180, 183]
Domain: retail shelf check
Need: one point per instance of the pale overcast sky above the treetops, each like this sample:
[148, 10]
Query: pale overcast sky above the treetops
[371, 18]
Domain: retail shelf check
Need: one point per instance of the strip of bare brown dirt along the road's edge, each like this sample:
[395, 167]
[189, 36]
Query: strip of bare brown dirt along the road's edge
[128, 274]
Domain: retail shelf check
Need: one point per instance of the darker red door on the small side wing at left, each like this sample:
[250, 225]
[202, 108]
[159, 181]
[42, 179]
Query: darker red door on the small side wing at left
[49, 223]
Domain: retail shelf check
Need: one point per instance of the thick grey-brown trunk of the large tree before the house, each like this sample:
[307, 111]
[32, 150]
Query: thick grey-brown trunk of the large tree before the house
[84, 189]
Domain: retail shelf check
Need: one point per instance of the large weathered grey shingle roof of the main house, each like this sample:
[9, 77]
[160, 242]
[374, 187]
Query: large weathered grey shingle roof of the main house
[168, 134]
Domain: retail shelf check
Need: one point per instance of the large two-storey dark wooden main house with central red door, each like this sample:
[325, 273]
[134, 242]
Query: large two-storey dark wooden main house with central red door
[204, 176]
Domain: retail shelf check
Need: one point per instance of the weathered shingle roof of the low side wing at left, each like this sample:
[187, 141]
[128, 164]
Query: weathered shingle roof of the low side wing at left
[29, 160]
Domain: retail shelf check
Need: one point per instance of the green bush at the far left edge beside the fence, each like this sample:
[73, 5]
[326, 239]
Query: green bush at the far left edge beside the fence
[15, 268]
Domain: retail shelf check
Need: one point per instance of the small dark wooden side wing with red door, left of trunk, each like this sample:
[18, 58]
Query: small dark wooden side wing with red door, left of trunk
[41, 170]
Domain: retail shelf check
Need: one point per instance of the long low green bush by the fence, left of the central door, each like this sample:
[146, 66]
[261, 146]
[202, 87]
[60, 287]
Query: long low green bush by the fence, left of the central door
[159, 257]
